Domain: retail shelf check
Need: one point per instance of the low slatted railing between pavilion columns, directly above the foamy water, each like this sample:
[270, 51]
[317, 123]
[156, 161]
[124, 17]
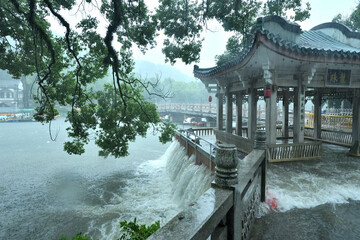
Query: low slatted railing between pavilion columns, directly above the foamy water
[293, 152]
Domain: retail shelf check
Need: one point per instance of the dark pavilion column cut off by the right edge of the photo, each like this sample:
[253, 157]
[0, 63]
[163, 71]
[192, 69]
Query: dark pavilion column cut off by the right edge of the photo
[355, 149]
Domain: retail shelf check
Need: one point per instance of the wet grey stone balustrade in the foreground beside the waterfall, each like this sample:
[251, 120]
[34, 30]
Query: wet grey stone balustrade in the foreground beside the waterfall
[224, 211]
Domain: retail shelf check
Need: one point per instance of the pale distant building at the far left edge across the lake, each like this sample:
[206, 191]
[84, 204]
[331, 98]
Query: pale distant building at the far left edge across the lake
[11, 92]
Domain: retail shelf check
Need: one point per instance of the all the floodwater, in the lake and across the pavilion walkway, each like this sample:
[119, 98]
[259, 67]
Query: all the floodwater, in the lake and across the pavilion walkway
[46, 193]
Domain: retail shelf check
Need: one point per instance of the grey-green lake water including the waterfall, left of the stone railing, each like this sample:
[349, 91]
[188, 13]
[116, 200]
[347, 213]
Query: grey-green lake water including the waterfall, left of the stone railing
[46, 193]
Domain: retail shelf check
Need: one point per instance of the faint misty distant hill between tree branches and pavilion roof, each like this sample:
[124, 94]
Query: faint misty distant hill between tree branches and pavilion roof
[149, 70]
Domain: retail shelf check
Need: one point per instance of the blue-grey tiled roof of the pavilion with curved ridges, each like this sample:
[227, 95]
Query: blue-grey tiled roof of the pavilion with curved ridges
[312, 42]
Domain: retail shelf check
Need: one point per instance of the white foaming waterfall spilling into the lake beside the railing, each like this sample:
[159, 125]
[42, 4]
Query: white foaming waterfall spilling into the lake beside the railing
[160, 189]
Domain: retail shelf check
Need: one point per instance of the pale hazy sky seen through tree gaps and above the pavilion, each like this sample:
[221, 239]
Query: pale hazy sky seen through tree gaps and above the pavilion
[215, 40]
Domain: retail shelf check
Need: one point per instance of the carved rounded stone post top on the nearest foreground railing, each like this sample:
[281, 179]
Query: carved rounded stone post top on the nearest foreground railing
[226, 163]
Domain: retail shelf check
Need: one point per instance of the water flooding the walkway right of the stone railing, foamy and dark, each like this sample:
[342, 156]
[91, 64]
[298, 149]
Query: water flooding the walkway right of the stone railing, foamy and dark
[313, 199]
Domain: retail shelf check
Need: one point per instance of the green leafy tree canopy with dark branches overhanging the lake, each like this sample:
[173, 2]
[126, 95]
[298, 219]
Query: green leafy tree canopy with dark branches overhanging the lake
[67, 65]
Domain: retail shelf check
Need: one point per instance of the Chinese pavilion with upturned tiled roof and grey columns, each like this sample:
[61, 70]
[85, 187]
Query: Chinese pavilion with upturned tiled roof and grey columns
[288, 63]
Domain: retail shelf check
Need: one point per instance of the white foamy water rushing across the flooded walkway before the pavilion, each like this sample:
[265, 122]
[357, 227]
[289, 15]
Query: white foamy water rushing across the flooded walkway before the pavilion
[310, 189]
